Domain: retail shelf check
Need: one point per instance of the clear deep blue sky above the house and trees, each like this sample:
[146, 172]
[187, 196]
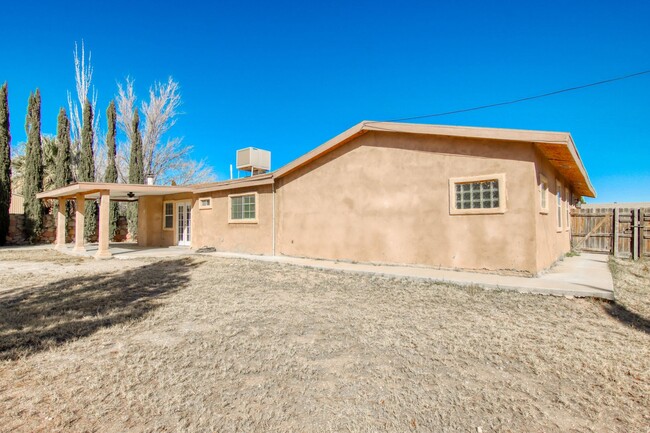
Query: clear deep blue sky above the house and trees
[287, 76]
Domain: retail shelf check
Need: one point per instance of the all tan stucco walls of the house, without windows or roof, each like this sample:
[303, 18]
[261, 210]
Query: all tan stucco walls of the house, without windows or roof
[384, 198]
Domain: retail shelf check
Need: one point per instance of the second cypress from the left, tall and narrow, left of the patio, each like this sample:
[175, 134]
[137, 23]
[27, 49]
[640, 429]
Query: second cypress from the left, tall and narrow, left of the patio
[33, 170]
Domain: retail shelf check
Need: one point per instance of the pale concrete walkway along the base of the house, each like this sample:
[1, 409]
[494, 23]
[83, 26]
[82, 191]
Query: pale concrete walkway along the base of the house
[586, 275]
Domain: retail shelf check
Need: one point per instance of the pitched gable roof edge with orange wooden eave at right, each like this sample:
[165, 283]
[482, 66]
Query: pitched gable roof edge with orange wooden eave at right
[557, 147]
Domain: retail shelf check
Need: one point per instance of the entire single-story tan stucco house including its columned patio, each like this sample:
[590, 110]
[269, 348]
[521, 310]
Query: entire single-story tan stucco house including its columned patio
[380, 192]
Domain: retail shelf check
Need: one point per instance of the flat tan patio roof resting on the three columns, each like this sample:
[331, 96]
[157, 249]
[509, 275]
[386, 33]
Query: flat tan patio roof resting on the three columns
[117, 191]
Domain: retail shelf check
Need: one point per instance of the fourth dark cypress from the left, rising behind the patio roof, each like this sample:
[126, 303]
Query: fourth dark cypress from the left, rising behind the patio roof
[87, 168]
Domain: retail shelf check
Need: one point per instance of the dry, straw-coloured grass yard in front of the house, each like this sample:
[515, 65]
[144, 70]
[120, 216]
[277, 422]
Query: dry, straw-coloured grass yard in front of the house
[225, 345]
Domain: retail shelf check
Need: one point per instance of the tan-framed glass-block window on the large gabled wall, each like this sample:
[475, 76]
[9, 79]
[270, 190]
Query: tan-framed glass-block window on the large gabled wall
[477, 194]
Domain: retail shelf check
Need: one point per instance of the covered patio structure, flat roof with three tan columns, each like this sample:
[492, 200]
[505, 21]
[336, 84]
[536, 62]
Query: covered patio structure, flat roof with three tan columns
[104, 193]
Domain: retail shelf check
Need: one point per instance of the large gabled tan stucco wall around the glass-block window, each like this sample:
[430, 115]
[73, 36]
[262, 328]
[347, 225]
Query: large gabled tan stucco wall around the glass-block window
[385, 198]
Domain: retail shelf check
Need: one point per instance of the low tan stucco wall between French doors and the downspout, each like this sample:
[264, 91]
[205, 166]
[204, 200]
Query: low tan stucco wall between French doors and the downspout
[211, 226]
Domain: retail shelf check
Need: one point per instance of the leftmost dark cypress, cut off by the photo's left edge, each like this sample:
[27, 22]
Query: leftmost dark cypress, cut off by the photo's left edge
[5, 164]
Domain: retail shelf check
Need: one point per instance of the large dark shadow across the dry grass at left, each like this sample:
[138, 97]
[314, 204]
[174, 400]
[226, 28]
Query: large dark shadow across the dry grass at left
[38, 318]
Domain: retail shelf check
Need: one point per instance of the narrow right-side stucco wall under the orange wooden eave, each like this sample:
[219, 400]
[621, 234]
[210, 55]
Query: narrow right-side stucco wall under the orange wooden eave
[552, 244]
